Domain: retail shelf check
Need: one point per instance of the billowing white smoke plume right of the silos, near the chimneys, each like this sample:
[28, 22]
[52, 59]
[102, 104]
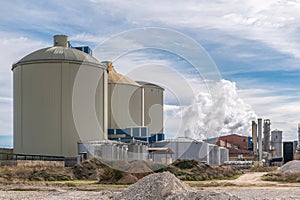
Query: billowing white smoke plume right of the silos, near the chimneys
[218, 112]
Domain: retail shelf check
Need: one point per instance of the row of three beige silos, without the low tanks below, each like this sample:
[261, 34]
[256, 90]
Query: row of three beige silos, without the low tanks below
[43, 88]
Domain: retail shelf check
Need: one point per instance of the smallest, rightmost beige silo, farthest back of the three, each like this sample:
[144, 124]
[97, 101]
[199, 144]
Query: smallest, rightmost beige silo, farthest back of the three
[153, 107]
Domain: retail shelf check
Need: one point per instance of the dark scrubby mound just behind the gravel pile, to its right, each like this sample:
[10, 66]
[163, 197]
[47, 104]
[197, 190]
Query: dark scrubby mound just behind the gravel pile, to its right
[192, 170]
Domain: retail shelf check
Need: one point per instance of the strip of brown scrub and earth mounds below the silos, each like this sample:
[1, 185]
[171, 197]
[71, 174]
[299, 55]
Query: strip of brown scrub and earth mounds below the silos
[94, 169]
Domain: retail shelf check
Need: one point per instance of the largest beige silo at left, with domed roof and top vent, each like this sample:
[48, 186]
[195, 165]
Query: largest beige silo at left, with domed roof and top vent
[43, 88]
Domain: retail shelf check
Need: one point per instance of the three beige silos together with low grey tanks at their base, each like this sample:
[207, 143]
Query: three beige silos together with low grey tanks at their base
[129, 113]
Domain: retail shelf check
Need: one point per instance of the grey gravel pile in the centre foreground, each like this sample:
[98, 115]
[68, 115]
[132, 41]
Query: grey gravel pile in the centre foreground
[165, 185]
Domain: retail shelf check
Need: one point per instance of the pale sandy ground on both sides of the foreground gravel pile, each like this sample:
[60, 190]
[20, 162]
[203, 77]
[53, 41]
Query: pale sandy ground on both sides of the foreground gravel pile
[248, 186]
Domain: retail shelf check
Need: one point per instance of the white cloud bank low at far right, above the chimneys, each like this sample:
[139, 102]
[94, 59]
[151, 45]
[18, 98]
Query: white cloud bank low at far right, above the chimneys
[282, 110]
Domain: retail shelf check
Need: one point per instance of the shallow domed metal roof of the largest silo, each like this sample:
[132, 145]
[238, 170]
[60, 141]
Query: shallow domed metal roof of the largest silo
[58, 53]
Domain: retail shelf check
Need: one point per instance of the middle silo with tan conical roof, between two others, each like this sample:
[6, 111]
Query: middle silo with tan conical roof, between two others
[124, 100]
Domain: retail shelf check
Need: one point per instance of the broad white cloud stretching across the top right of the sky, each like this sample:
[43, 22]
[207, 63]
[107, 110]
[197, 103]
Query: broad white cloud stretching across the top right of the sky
[270, 22]
